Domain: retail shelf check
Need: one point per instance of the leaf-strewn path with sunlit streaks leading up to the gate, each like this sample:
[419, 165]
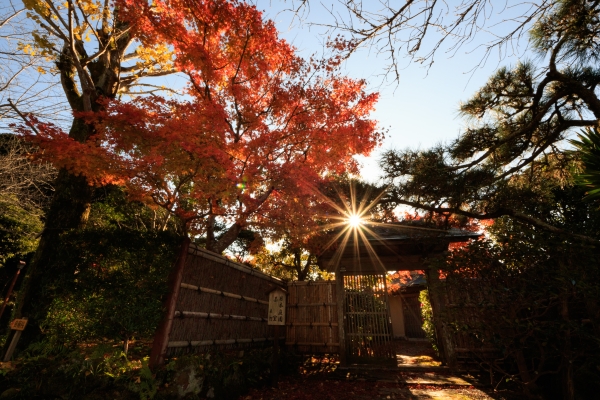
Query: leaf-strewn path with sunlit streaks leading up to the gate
[418, 375]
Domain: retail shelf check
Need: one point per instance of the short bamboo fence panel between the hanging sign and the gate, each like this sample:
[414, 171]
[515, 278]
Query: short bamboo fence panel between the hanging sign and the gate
[312, 320]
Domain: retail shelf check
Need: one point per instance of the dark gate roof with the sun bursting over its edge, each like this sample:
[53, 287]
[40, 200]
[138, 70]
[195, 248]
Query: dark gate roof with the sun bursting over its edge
[389, 247]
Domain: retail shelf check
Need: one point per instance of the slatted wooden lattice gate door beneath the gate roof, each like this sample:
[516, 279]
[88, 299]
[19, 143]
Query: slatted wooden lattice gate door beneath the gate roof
[368, 324]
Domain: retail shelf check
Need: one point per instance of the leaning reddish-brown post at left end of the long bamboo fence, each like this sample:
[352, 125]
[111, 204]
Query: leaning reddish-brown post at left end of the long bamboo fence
[161, 337]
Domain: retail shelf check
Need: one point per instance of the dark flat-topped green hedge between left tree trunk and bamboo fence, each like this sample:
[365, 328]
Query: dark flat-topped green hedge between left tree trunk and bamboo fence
[116, 288]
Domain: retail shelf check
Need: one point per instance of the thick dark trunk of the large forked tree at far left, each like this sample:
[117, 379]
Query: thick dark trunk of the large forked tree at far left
[70, 206]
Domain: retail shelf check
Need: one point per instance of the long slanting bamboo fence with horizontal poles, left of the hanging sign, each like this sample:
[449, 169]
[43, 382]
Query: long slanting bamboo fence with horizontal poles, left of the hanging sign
[221, 305]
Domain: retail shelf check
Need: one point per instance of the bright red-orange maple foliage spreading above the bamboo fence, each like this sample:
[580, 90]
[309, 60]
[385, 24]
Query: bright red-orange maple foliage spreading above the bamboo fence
[256, 129]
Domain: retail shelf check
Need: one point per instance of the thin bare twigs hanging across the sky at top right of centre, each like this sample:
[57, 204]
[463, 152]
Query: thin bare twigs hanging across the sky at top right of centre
[419, 29]
